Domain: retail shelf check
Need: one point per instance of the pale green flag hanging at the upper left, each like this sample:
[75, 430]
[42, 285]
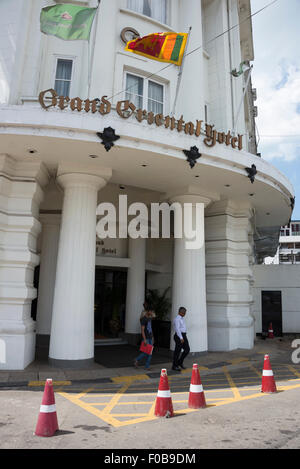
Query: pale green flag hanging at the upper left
[68, 22]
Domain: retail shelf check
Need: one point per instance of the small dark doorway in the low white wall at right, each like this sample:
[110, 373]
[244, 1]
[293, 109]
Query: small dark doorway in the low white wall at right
[271, 311]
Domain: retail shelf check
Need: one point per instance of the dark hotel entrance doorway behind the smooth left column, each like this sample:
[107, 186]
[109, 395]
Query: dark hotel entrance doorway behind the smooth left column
[110, 301]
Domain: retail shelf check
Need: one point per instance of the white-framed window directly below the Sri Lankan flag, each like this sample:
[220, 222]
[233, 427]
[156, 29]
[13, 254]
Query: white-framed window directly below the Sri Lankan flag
[144, 93]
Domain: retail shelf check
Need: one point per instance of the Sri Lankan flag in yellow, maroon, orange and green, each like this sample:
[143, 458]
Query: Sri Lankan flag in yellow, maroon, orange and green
[164, 47]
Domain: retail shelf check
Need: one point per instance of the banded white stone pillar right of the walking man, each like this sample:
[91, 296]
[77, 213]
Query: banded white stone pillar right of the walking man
[229, 276]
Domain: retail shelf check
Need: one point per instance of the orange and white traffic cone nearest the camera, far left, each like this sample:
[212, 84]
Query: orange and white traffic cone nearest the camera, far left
[47, 422]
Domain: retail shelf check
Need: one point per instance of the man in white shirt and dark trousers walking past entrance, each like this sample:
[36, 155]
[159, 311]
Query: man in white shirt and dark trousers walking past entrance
[181, 342]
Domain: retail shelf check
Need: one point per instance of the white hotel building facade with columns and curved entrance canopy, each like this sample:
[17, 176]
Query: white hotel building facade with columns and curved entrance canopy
[55, 172]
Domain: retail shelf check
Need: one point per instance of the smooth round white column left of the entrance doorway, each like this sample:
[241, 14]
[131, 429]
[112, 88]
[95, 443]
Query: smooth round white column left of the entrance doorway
[72, 329]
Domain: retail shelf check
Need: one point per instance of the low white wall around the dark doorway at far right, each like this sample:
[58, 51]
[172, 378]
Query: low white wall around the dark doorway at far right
[284, 278]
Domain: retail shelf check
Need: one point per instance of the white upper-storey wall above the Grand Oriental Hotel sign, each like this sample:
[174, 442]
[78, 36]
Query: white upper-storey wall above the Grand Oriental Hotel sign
[28, 57]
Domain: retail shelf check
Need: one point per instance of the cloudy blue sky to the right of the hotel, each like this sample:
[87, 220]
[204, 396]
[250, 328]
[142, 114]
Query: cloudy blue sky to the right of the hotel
[276, 76]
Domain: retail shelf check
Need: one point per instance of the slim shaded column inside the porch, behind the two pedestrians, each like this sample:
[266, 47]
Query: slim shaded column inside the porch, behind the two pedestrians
[135, 295]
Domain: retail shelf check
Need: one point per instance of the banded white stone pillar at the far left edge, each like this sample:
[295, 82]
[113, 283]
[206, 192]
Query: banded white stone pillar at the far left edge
[21, 193]
